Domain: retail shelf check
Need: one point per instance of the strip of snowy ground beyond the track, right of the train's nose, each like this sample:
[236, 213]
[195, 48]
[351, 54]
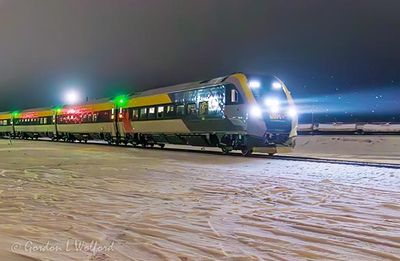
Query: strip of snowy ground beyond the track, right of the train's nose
[368, 148]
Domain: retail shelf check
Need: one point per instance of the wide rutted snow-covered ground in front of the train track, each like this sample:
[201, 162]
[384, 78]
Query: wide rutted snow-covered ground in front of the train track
[142, 204]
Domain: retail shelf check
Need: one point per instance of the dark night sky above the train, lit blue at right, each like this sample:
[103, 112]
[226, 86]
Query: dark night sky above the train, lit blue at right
[341, 59]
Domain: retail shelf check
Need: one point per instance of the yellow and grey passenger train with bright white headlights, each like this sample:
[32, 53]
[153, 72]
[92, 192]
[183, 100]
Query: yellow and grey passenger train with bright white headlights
[237, 112]
